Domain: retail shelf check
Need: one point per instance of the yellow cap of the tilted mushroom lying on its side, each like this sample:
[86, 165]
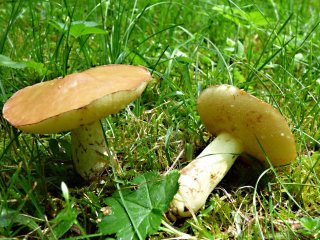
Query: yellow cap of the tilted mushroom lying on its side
[261, 129]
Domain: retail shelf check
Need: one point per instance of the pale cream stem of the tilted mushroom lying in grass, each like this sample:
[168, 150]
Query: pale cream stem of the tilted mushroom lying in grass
[201, 176]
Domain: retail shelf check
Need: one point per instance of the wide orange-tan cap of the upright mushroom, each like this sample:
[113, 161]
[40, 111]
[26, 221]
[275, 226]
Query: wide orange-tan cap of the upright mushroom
[67, 103]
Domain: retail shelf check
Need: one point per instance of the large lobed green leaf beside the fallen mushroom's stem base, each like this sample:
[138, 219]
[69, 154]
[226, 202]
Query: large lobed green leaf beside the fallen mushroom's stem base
[137, 214]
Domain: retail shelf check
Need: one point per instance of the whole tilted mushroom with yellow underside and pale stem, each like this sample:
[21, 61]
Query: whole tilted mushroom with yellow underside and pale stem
[242, 124]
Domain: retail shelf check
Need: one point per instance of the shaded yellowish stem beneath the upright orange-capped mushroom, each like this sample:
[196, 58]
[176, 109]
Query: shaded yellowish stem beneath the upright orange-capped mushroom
[89, 150]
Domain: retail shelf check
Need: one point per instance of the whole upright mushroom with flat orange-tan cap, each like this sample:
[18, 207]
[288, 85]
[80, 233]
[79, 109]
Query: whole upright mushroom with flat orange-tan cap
[76, 103]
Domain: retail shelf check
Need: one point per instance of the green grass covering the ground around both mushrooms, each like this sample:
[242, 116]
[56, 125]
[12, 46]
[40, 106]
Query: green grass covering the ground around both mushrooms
[270, 49]
